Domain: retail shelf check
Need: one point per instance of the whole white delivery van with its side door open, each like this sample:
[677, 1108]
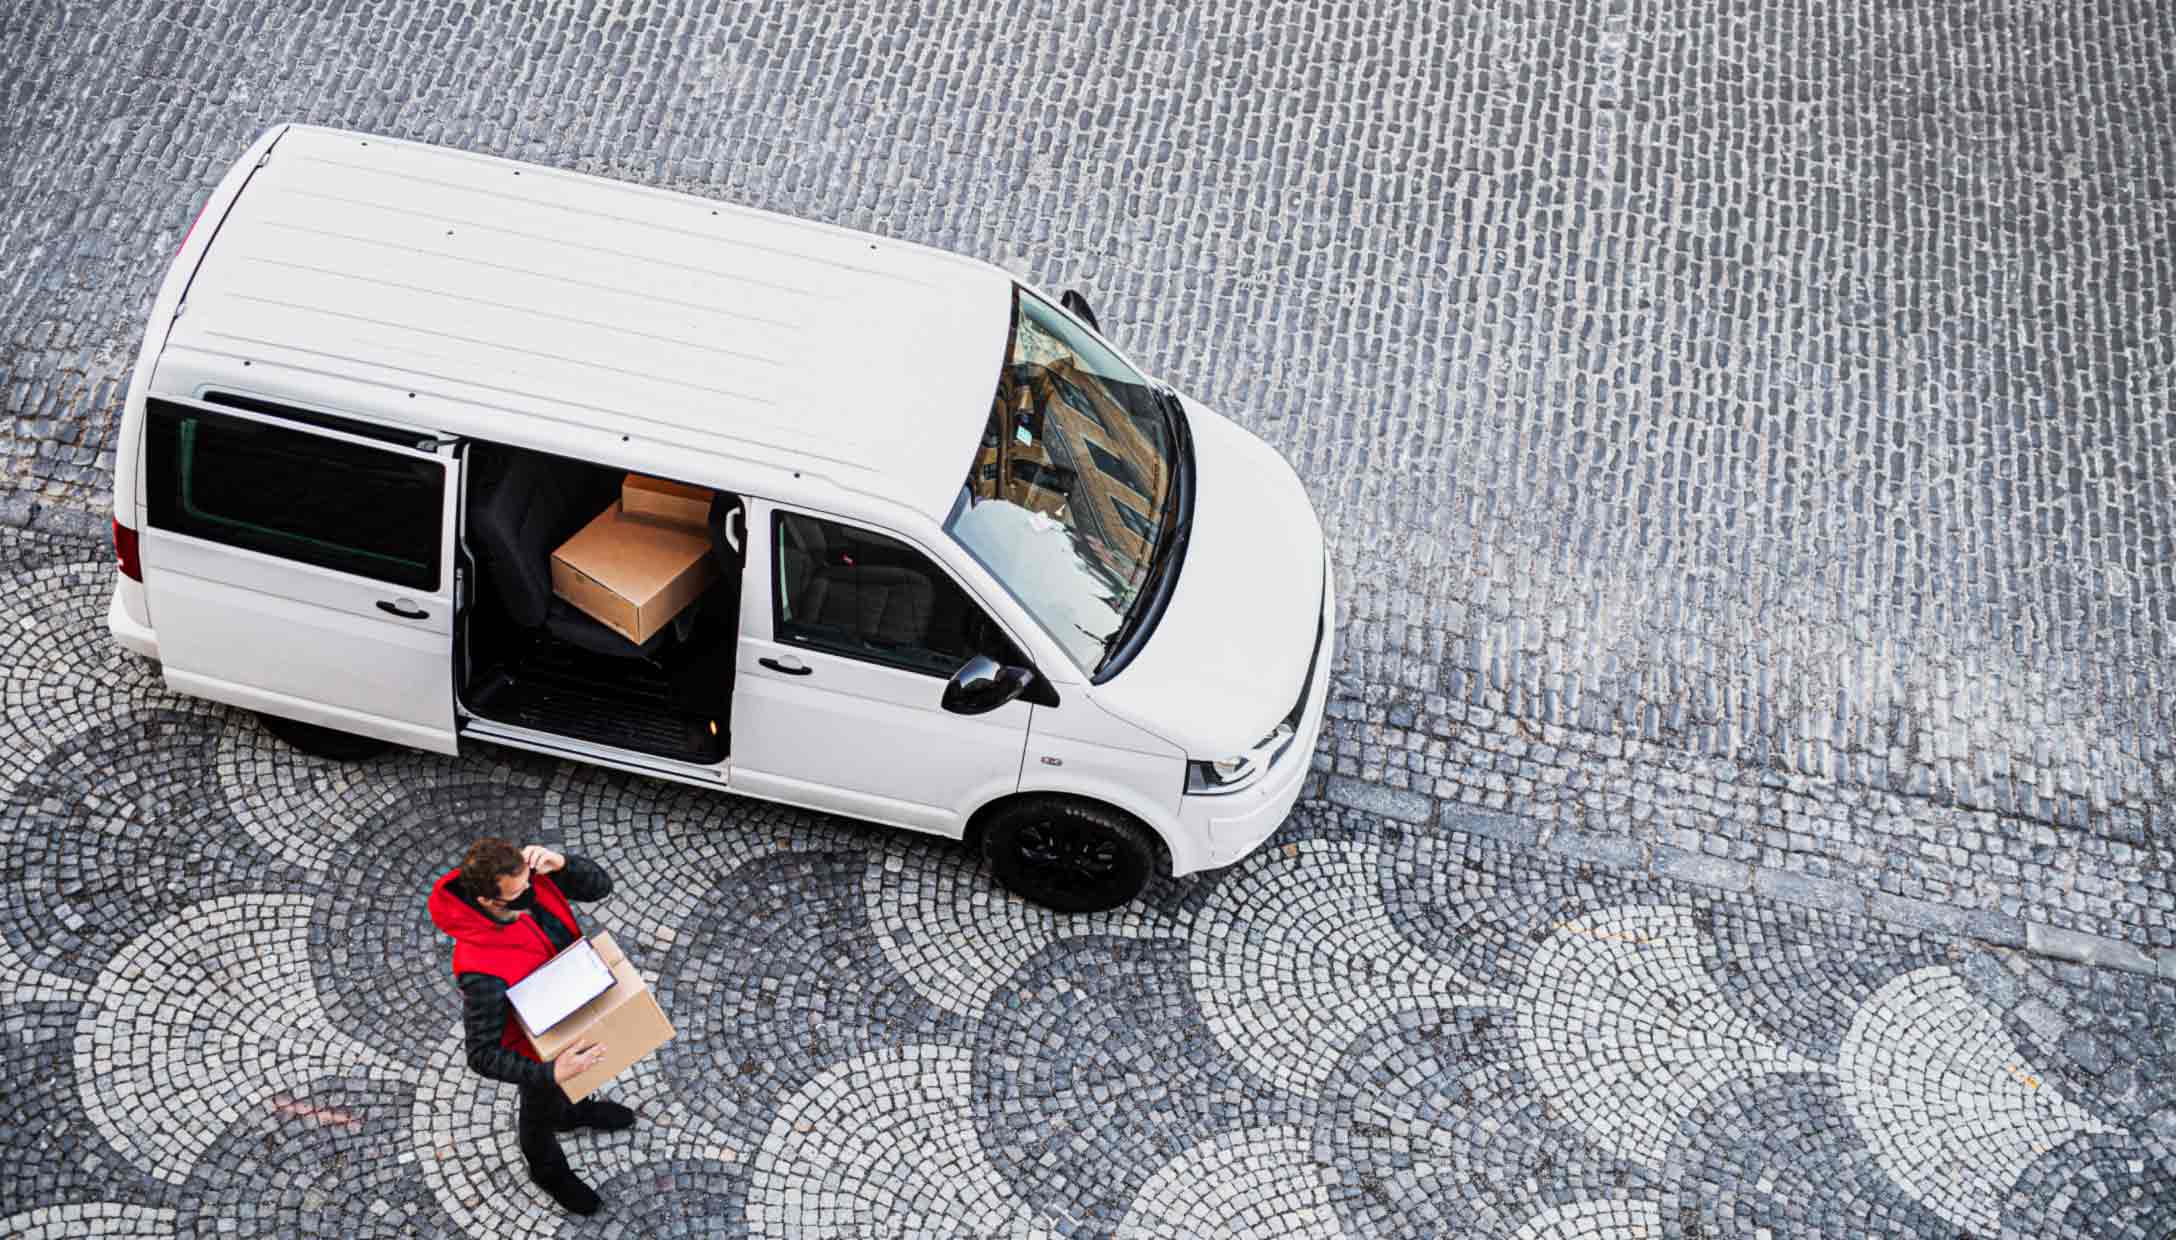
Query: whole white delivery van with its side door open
[965, 567]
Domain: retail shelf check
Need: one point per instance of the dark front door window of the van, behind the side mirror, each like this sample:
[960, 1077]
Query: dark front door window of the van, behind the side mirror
[854, 593]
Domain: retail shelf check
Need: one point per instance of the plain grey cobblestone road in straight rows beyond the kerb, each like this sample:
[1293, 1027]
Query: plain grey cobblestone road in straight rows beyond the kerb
[1742, 430]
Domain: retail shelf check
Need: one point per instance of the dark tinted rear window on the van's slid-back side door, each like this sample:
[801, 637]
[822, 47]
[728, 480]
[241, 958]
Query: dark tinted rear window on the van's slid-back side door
[295, 495]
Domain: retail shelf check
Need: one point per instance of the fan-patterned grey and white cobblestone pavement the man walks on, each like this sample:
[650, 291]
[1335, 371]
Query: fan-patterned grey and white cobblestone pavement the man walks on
[1363, 1030]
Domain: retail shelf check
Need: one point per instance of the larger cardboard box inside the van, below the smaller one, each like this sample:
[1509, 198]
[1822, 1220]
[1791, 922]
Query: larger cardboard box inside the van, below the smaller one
[632, 575]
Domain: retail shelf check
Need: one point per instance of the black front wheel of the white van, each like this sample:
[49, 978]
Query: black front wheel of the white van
[1070, 856]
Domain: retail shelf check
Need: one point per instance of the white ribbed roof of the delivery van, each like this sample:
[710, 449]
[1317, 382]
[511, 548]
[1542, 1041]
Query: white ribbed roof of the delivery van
[562, 312]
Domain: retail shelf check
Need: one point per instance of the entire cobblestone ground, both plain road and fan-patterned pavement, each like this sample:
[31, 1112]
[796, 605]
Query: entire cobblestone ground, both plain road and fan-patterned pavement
[1746, 443]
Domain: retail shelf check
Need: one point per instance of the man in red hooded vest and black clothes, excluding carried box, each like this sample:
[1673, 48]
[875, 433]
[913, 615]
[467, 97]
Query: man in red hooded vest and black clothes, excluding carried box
[508, 913]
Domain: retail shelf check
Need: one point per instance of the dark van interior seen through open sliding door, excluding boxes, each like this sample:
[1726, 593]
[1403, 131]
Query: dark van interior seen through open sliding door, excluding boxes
[539, 662]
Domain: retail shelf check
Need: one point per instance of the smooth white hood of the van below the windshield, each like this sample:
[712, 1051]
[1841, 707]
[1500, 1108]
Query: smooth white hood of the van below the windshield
[1233, 649]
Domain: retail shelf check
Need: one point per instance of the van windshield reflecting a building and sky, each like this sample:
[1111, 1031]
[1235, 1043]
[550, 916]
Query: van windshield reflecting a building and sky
[1070, 495]
